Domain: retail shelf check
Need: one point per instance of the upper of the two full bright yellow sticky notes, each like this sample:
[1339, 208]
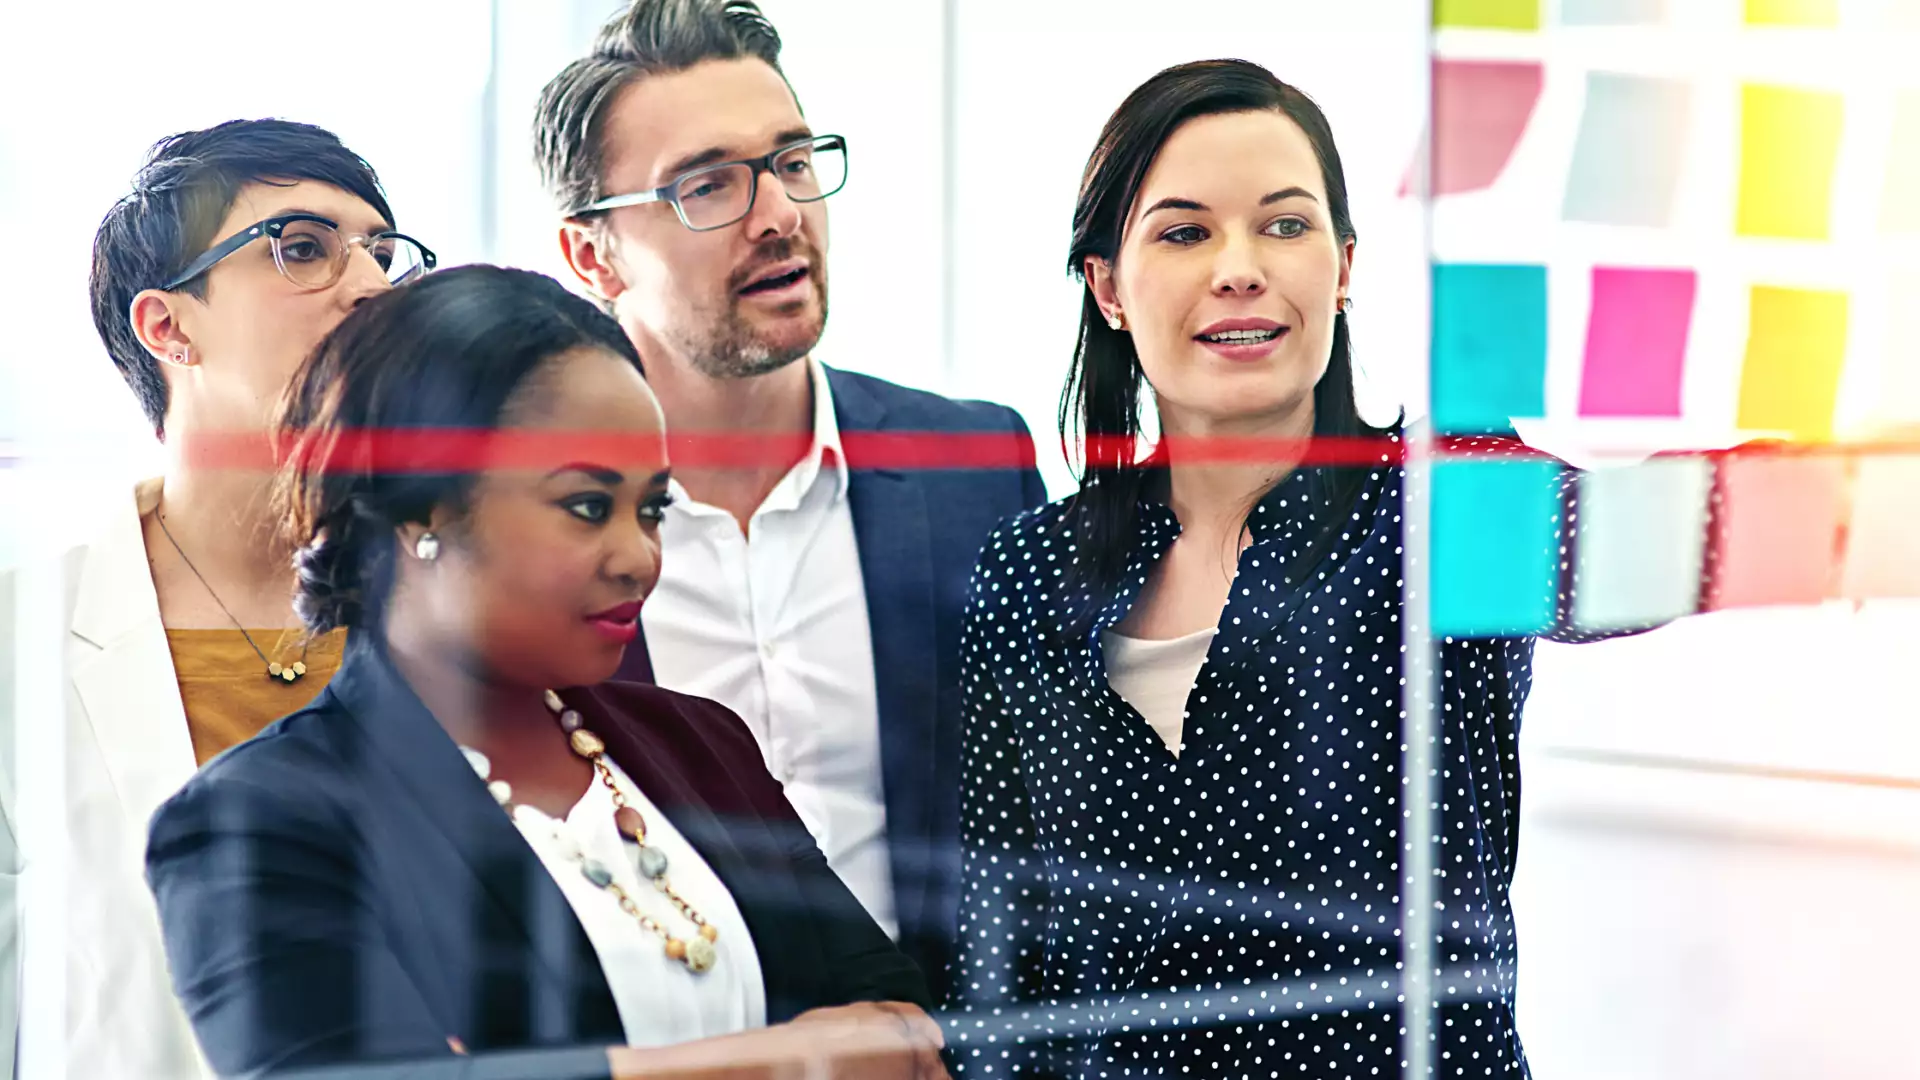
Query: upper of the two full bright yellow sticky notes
[1788, 147]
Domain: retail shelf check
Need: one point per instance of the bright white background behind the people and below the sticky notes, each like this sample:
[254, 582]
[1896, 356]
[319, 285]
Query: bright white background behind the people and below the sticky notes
[1721, 845]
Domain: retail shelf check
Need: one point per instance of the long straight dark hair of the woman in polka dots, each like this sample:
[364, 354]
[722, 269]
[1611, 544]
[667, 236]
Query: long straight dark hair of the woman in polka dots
[1101, 405]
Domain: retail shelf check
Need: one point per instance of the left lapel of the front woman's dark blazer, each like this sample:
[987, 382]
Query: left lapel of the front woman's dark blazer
[527, 906]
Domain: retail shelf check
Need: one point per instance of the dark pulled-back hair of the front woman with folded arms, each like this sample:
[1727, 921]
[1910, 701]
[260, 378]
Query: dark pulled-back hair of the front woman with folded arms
[448, 353]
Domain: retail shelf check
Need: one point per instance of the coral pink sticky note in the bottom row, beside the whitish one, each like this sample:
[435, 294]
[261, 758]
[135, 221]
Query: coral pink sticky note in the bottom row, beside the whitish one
[1777, 529]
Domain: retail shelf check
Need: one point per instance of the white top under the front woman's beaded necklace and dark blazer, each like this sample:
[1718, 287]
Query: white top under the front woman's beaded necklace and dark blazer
[660, 1000]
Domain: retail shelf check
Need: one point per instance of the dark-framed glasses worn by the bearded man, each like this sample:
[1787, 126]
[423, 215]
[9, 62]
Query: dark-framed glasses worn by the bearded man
[715, 197]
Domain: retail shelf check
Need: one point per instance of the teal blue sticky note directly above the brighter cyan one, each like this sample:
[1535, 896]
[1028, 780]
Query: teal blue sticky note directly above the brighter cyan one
[1489, 347]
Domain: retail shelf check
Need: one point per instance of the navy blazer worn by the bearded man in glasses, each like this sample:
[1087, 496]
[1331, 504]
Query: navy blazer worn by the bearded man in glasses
[921, 533]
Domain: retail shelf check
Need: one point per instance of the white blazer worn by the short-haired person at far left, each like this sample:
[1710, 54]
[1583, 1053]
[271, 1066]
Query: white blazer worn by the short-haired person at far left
[128, 750]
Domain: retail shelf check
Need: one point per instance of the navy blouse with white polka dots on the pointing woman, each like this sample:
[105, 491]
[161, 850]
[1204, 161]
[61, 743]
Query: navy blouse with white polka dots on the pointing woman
[1232, 912]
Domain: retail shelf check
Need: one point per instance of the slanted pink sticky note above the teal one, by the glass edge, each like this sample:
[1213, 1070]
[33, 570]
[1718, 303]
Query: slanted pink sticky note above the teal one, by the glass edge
[1479, 114]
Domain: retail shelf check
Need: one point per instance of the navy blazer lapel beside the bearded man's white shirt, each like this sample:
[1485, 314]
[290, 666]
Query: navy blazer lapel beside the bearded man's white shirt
[892, 529]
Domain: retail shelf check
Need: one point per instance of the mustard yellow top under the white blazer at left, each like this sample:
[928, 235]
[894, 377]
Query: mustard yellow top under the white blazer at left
[228, 691]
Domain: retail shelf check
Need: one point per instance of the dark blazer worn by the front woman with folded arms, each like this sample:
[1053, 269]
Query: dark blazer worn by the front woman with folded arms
[343, 889]
